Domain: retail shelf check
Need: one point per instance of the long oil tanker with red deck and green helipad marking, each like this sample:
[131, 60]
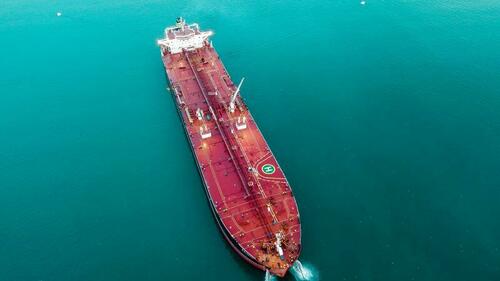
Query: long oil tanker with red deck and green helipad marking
[249, 196]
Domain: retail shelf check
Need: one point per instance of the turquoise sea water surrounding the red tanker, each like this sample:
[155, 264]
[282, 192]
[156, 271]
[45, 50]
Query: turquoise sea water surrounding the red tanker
[384, 116]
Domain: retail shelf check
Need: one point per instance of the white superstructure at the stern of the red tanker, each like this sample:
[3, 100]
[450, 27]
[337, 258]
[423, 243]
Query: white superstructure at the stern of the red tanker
[183, 36]
